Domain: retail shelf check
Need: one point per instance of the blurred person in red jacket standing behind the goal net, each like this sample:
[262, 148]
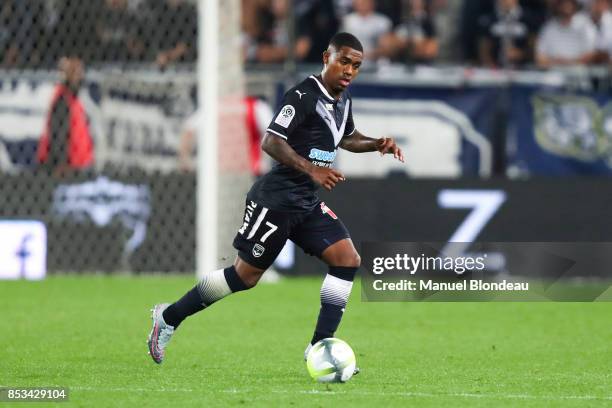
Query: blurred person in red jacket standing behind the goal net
[66, 142]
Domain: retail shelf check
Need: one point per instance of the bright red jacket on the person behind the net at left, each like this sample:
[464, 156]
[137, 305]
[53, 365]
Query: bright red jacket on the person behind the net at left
[80, 144]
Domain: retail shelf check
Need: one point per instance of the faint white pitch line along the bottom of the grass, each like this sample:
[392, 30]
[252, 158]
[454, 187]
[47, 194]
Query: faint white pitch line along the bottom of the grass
[362, 393]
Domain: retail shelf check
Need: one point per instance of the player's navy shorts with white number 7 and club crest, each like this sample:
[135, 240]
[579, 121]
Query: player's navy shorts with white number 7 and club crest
[264, 232]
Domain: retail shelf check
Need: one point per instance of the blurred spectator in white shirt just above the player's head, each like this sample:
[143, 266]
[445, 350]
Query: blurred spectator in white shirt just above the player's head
[368, 26]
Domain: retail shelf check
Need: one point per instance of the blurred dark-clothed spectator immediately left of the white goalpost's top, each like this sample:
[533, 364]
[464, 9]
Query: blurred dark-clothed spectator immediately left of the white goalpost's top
[171, 31]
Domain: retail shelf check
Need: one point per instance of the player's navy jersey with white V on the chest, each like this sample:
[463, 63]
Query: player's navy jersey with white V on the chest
[313, 123]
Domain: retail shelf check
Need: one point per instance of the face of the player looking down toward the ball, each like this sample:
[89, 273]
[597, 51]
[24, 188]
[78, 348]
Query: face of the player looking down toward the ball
[341, 67]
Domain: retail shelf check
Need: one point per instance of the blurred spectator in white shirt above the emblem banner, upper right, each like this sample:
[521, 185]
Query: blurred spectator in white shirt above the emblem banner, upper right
[567, 39]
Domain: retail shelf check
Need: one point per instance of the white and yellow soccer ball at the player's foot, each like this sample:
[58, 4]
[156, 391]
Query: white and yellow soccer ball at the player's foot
[331, 360]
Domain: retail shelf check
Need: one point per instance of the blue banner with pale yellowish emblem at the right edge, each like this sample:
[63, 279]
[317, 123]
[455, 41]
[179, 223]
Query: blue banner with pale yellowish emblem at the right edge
[556, 132]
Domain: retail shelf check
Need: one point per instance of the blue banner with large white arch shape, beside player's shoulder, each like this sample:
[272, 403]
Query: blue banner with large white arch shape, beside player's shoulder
[453, 129]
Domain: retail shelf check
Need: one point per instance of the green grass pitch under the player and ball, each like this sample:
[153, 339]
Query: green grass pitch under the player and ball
[89, 333]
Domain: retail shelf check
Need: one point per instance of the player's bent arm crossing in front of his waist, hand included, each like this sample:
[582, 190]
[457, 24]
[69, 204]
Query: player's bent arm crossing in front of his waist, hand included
[280, 151]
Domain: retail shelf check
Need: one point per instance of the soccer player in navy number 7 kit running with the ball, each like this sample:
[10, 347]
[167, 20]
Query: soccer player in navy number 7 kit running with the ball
[315, 119]
